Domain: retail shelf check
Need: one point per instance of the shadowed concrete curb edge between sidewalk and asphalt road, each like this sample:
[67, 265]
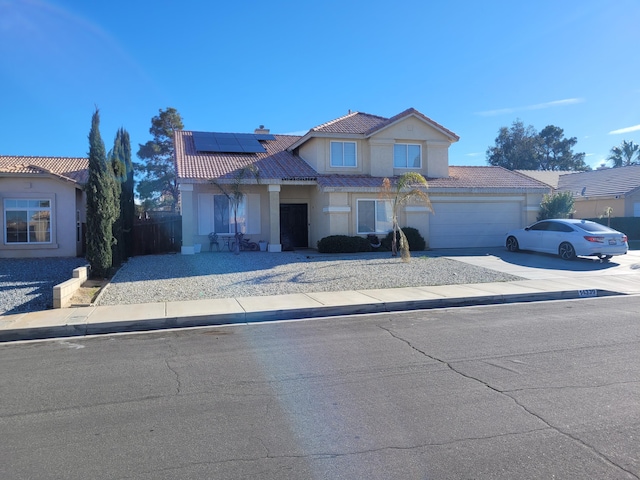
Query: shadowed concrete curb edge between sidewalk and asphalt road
[83, 328]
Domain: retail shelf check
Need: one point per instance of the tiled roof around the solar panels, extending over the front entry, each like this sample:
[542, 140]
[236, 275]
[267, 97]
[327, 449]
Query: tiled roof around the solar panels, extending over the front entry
[276, 163]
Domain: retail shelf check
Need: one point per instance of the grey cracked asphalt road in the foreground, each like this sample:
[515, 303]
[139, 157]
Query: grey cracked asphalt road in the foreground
[528, 391]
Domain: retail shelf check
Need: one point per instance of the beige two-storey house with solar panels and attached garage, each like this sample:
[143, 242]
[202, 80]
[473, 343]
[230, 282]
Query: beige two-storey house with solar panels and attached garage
[327, 182]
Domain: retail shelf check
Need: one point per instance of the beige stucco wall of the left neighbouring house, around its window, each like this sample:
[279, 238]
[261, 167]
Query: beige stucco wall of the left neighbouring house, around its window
[63, 196]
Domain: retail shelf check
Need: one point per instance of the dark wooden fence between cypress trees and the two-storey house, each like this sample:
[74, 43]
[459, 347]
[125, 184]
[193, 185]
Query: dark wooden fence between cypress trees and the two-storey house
[157, 235]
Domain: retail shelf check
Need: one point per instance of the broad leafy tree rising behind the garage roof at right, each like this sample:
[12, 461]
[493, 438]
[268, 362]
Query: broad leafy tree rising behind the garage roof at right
[523, 148]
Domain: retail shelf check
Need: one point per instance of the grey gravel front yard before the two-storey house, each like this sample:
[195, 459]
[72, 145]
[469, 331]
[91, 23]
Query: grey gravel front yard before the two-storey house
[159, 278]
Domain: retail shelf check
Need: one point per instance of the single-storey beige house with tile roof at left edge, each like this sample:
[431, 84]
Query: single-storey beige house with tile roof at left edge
[43, 206]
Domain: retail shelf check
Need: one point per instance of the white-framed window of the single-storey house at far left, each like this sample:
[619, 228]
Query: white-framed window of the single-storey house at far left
[27, 221]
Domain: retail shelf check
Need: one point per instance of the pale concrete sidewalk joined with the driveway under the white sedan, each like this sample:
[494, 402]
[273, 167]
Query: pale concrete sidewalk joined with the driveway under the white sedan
[548, 278]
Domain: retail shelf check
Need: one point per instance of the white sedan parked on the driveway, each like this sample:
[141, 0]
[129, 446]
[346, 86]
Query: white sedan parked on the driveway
[569, 238]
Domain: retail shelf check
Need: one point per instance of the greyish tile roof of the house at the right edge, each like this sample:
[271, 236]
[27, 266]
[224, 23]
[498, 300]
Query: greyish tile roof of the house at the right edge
[603, 182]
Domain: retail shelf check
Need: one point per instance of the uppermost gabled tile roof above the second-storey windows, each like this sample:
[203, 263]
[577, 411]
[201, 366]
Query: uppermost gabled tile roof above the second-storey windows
[367, 124]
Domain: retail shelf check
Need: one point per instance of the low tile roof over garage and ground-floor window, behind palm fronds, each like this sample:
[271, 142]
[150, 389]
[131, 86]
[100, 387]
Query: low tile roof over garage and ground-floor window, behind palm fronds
[459, 177]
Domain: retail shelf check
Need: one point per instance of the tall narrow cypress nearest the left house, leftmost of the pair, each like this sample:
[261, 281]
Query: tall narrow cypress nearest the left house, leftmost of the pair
[101, 204]
